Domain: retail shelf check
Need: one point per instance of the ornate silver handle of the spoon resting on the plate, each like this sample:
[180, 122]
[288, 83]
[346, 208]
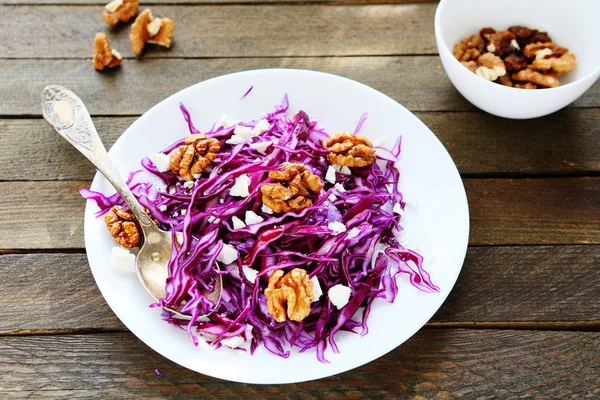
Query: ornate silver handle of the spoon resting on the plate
[67, 114]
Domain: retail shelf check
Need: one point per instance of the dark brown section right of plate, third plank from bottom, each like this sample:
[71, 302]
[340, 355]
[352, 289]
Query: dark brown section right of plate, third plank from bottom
[534, 211]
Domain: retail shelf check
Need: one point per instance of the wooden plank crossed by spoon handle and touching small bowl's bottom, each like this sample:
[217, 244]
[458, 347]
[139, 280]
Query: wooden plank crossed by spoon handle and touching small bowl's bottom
[478, 142]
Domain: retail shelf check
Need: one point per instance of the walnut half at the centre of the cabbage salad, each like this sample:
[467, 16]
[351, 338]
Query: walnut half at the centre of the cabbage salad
[293, 188]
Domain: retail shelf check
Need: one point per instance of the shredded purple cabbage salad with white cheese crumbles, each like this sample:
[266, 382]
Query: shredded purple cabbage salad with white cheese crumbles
[345, 240]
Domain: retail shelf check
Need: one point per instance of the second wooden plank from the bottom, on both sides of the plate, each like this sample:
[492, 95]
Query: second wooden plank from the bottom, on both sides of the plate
[545, 284]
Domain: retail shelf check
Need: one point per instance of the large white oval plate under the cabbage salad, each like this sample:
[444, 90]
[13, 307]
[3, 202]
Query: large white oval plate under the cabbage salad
[436, 219]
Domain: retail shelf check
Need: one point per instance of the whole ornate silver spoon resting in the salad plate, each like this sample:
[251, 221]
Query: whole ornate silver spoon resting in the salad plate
[67, 114]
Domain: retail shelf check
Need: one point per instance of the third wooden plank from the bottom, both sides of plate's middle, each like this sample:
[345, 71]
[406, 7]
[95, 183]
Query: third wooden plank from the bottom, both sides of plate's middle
[49, 215]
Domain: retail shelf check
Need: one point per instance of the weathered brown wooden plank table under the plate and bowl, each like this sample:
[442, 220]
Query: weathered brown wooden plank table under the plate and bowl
[524, 317]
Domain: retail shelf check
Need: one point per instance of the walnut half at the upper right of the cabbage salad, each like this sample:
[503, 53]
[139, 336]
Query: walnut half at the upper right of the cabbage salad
[349, 150]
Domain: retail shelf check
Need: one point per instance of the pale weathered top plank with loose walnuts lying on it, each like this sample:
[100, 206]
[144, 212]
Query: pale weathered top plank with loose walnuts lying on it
[231, 31]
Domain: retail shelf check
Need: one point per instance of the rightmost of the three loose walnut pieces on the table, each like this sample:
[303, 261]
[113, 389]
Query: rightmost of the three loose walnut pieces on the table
[146, 29]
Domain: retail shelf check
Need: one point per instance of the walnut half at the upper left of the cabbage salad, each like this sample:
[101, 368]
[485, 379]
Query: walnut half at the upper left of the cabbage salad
[194, 156]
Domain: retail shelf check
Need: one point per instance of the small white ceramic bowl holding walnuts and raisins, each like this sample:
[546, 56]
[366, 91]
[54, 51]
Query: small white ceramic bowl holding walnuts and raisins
[571, 24]
